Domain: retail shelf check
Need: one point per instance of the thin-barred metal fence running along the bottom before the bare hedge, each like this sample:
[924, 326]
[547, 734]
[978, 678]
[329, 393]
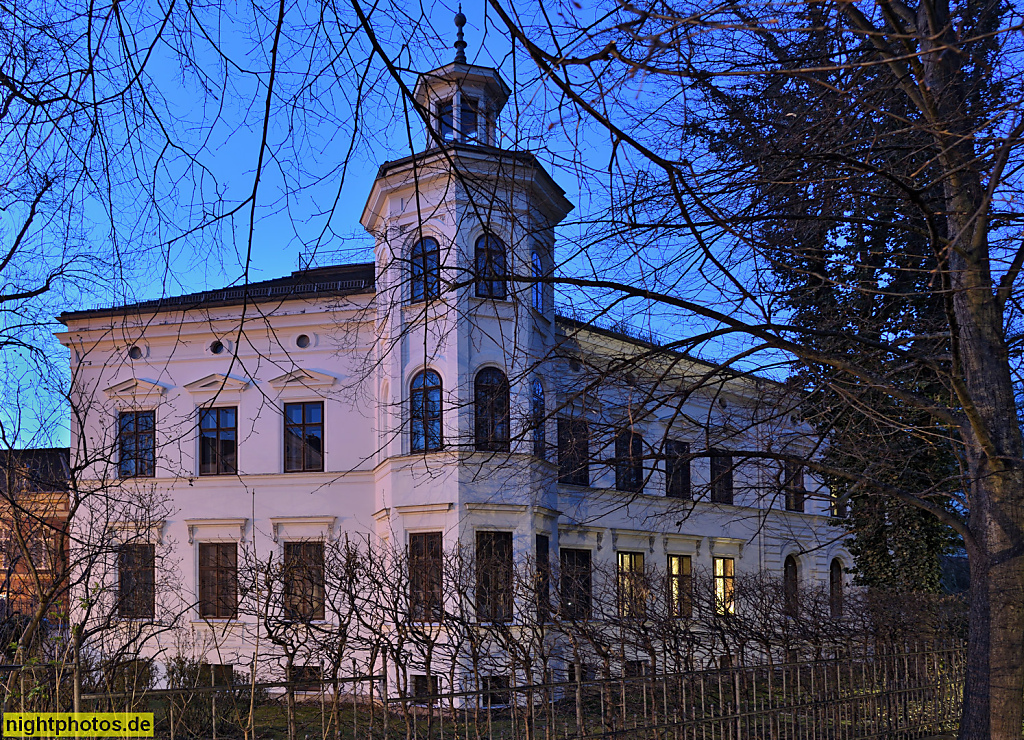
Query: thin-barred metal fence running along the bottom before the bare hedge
[879, 693]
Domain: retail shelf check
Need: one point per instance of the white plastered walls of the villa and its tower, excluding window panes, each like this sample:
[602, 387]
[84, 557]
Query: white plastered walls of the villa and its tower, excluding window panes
[353, 338]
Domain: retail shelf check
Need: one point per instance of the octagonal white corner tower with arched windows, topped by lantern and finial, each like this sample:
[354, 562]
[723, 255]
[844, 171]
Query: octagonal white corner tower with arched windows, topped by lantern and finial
[464, 234]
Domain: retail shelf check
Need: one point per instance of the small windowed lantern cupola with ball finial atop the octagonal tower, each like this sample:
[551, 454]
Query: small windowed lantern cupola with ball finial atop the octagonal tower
[462, 101]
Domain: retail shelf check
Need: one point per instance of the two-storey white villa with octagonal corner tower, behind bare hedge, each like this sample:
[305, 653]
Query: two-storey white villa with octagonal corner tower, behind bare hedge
[429, 400]
